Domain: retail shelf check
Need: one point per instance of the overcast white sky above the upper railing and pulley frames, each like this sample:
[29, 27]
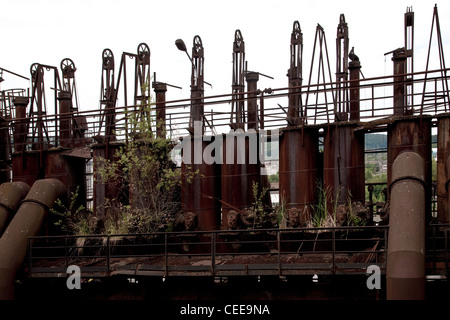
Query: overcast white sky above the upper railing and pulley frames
[49, 31]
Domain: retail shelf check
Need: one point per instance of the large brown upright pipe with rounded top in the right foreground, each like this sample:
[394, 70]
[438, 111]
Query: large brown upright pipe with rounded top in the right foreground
[405, 274]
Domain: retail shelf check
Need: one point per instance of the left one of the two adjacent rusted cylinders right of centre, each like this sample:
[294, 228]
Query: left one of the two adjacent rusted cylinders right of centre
[298, 170]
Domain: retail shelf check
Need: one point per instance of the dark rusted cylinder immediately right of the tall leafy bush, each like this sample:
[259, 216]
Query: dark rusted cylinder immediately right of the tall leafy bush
[200, 195]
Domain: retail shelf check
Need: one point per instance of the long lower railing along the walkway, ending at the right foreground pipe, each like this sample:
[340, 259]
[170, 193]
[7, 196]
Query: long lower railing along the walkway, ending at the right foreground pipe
[281, 252]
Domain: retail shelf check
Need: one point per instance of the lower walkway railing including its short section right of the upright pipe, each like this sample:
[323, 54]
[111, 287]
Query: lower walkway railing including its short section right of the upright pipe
[209, 245]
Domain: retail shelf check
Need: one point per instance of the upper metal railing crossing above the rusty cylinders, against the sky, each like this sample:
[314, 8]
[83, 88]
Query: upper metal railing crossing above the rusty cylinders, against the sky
[376, 102]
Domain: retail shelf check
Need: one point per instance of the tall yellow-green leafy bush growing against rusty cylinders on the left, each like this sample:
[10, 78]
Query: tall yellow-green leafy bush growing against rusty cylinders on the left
[147, 178]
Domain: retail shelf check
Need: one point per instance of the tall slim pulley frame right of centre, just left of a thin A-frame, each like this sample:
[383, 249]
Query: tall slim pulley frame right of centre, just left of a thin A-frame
[295, 75]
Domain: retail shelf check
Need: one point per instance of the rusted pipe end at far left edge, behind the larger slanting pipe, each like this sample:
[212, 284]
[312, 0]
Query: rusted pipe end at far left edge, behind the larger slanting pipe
[11, 193]
